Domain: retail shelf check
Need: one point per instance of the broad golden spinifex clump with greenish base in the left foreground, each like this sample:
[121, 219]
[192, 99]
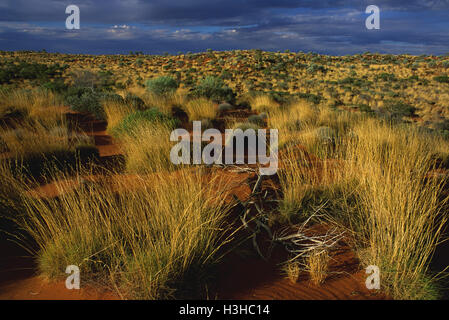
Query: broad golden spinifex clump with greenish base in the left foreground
[149, 241]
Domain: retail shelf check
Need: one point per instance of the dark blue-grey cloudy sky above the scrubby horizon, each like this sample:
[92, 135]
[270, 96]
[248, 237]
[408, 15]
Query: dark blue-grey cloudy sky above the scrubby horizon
[158, 26]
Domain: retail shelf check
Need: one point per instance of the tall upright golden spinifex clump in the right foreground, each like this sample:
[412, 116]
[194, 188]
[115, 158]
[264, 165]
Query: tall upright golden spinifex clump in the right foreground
[401, 208]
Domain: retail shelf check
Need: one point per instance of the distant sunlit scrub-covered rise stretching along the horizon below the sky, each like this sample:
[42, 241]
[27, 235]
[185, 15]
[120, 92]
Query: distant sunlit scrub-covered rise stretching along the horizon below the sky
[355, 80]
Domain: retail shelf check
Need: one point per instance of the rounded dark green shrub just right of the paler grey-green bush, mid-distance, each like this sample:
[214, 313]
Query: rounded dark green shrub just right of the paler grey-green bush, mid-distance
[215, 89]
